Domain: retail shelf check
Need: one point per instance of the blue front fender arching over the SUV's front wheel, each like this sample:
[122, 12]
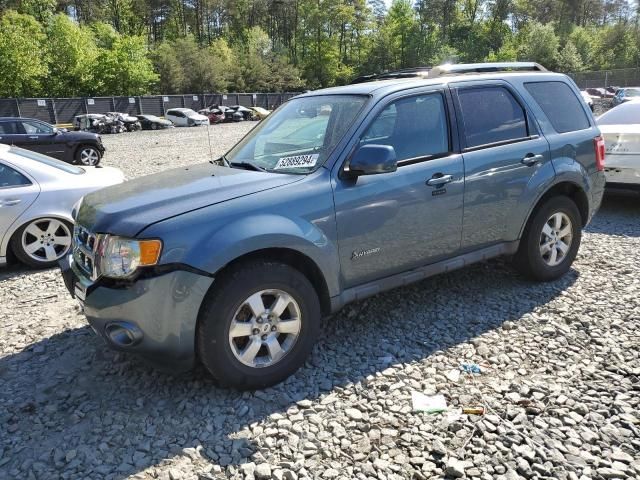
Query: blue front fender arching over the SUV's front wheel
[214, 248]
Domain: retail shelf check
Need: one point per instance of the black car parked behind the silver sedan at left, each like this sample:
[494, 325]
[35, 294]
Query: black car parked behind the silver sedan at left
[83, 148]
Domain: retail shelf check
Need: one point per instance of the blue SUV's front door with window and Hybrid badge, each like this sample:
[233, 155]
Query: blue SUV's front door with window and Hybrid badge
[392, 222]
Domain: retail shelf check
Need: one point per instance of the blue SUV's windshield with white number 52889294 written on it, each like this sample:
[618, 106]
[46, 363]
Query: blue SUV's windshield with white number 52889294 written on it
[299, 136]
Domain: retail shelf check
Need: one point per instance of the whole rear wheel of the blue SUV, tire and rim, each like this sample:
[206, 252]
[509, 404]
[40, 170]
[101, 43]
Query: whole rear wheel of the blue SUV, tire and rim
[551, 240]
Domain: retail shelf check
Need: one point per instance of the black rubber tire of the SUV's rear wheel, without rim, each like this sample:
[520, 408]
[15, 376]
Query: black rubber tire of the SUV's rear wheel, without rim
[529, 260]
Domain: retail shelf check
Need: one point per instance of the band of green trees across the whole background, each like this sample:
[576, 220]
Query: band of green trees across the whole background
[177, 46]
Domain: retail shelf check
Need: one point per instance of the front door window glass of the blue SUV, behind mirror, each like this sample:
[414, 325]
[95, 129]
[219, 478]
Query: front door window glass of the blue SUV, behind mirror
[415, 127]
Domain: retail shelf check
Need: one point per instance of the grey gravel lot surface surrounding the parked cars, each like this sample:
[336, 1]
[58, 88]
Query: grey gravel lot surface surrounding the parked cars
[560, 375]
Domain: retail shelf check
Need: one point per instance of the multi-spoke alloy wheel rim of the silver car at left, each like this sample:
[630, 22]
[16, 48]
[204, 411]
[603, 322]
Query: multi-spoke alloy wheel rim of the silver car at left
[46, 240]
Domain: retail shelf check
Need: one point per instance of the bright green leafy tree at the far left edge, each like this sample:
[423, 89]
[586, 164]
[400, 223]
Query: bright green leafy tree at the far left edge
[22, 63]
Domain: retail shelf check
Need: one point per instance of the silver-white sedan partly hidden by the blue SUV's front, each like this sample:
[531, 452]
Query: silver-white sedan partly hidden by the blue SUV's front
[37, 197]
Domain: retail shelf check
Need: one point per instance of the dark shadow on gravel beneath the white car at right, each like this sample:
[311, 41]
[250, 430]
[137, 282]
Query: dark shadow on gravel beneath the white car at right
[619, 214]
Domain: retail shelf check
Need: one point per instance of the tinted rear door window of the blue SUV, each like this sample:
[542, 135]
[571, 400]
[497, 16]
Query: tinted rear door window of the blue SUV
[491, 115]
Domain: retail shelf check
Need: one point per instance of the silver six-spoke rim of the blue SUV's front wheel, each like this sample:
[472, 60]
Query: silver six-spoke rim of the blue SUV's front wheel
[265, 328]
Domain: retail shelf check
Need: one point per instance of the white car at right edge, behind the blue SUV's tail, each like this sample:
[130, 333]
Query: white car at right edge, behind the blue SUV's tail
[620, 129]
